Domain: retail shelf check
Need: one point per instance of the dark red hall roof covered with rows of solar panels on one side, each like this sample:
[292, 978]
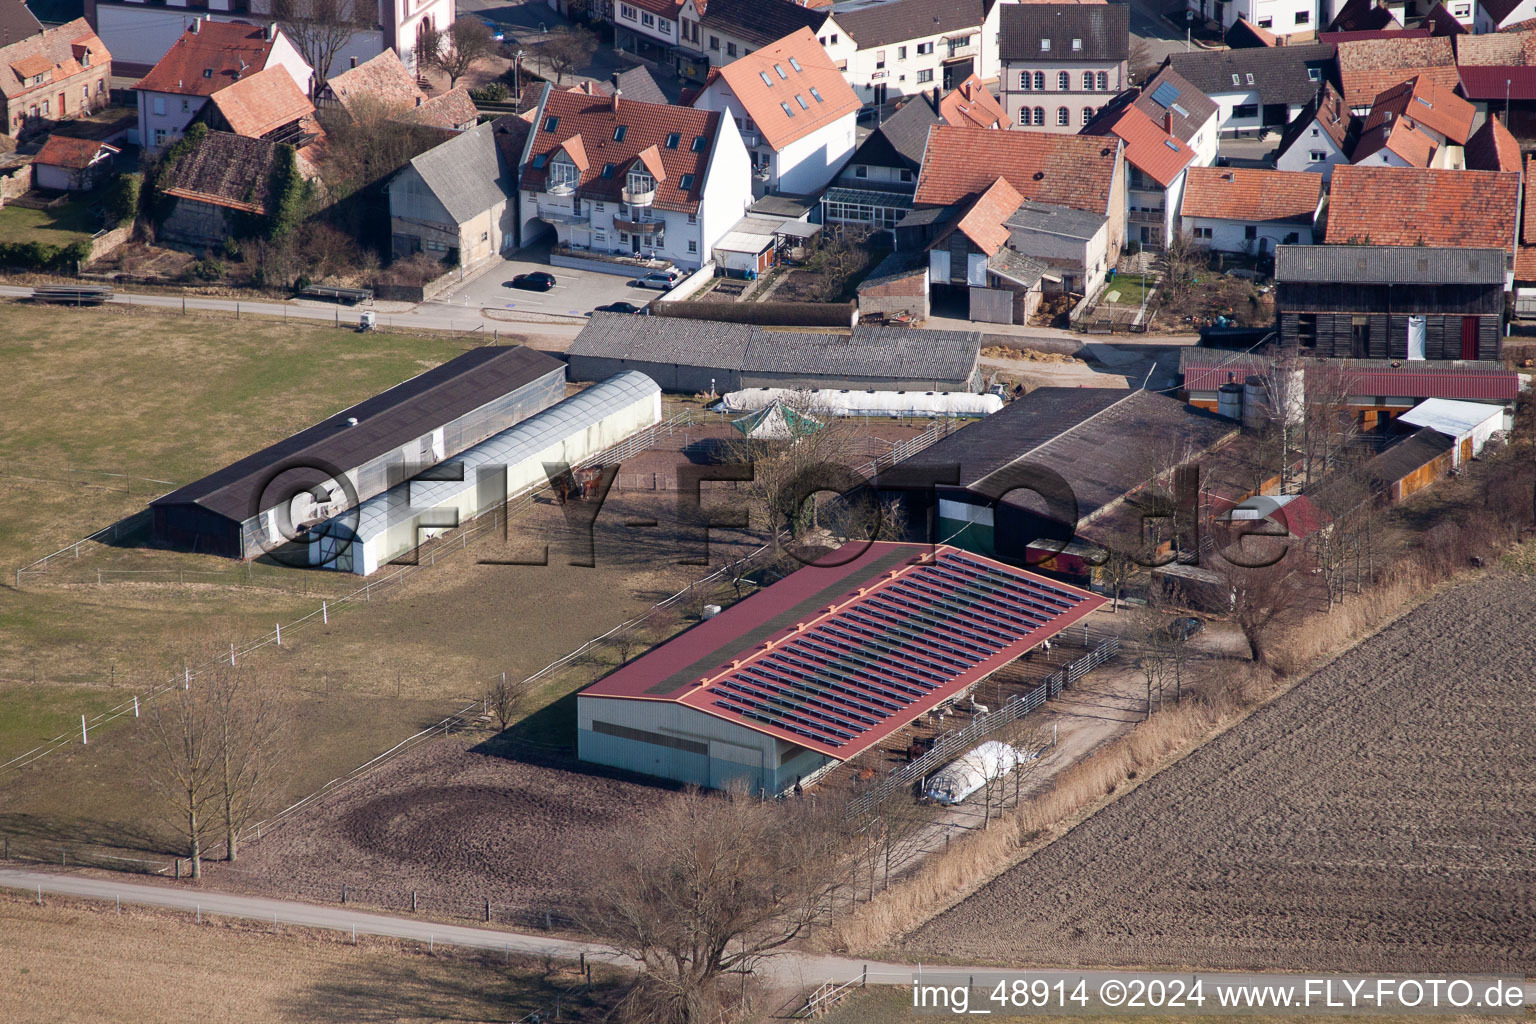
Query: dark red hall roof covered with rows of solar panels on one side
[836, 659]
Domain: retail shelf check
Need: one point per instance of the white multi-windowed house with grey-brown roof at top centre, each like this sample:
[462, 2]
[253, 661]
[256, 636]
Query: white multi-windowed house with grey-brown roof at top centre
[895, 48]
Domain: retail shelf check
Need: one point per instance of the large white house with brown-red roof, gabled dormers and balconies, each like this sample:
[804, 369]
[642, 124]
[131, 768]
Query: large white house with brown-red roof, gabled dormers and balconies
[614, 176]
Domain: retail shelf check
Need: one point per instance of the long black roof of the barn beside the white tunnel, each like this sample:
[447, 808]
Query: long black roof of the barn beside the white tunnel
[386, 421]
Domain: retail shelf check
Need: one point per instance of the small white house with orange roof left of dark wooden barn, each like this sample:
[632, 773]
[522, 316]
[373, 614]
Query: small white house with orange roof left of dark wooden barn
[1248, 211]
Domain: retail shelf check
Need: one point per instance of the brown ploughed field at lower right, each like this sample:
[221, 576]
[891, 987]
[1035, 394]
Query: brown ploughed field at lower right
[1379, 818]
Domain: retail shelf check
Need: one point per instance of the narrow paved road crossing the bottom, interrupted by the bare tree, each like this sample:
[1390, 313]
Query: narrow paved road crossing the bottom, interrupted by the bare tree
[790, 969]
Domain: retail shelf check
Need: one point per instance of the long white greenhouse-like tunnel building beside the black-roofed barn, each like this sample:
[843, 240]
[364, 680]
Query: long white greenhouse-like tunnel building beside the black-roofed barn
[396, 523]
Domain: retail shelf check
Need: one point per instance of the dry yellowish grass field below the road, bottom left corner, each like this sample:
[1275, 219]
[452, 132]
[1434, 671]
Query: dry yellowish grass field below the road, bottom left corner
[153, 966]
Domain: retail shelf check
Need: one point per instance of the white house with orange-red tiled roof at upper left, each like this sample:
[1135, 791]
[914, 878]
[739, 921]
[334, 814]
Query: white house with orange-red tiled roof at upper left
[208, 58]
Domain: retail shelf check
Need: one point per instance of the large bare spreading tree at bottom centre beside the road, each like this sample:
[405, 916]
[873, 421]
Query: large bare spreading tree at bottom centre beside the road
[709, 887]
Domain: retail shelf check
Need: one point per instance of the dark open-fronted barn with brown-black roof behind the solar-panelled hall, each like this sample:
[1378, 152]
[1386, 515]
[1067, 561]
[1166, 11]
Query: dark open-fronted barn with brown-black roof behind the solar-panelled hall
[1050, 464]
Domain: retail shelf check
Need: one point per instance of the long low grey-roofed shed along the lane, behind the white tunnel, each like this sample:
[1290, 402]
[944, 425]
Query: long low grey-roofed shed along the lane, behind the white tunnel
[695, 355]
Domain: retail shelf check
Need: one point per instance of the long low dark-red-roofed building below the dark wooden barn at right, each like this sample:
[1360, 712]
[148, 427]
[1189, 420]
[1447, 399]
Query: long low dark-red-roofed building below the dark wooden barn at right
[1374, 389]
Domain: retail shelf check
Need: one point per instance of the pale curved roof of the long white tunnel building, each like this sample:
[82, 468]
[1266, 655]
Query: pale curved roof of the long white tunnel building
[511, 448]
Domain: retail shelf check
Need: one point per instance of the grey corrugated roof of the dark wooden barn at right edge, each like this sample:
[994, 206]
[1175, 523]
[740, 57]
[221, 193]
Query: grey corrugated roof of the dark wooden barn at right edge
[1389, 265]
